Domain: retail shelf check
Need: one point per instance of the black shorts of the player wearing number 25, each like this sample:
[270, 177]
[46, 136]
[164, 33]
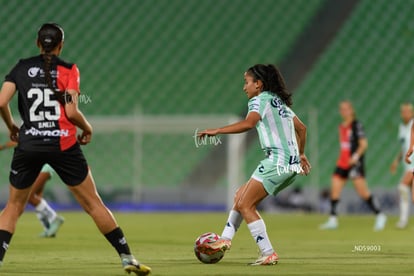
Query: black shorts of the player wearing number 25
[70, 165]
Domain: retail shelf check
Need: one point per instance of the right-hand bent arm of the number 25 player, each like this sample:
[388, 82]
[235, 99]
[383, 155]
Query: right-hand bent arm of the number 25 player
[77, 118]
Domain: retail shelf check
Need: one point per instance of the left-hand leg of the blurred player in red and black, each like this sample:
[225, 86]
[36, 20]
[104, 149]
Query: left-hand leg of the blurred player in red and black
[337, 184]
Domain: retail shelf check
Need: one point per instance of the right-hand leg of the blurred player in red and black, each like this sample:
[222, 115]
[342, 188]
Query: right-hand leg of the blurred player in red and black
[361, 188]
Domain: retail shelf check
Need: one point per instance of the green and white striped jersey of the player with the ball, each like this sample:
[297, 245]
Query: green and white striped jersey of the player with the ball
[276, 128]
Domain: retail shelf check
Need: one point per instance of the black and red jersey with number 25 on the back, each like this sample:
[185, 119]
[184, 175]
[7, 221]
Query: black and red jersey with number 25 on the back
[45, 126]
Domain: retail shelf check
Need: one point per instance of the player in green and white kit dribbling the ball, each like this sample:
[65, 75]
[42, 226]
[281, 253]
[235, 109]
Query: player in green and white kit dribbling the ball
[282, 137]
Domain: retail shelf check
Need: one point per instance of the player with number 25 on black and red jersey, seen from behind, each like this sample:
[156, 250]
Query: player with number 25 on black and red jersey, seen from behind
[47, 90]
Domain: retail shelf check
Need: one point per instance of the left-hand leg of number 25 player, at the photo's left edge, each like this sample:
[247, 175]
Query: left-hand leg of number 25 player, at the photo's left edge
[9, 216]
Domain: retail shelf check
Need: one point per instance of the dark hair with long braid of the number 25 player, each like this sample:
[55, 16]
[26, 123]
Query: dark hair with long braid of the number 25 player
[49, 36]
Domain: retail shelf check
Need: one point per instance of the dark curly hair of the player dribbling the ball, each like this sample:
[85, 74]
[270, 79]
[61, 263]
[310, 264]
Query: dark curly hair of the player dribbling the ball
[272, 81]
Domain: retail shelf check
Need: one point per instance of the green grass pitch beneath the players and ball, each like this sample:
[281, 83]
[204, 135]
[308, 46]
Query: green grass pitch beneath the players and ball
[165, 241]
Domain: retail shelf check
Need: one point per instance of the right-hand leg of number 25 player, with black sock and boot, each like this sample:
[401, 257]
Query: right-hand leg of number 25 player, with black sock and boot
[87, 196]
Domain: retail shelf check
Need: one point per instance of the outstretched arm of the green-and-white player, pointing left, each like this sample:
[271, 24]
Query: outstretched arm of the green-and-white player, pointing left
[248, 123]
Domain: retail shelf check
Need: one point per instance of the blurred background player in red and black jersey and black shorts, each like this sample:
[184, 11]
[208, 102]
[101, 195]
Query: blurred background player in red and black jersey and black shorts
[350, 165]
